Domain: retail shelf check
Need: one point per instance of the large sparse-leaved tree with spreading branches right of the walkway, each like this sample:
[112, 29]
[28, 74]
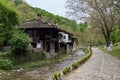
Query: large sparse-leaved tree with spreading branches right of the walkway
[100, 14]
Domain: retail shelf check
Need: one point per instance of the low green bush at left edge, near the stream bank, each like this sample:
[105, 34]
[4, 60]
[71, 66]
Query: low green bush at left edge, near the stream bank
[5, 64]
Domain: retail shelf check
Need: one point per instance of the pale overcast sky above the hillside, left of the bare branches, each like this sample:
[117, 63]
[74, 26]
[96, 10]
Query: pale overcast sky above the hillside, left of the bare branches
[56, 7]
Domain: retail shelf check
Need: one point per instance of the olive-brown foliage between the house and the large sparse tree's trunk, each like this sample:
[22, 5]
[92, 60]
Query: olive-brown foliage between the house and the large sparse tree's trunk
[88, 36]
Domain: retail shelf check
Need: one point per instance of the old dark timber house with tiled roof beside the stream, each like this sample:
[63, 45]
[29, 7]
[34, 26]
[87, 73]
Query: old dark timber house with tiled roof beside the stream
[48, 38]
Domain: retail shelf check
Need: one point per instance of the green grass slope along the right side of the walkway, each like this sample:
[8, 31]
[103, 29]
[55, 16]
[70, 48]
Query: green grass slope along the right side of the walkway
[115, 51]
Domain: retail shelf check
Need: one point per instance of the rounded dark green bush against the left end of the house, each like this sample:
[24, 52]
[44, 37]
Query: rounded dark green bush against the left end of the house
[19, 44]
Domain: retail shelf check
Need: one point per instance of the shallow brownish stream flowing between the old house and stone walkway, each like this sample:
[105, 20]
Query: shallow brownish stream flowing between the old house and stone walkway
[45, 72]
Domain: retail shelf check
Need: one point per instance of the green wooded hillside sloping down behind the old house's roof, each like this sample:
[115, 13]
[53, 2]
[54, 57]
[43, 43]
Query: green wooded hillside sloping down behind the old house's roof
[27, 12]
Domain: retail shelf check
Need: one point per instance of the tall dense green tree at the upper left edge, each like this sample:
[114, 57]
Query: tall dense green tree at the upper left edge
[8, 21]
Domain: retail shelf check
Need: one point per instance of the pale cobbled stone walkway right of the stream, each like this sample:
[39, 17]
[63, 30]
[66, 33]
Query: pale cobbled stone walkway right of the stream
[101, 66]
